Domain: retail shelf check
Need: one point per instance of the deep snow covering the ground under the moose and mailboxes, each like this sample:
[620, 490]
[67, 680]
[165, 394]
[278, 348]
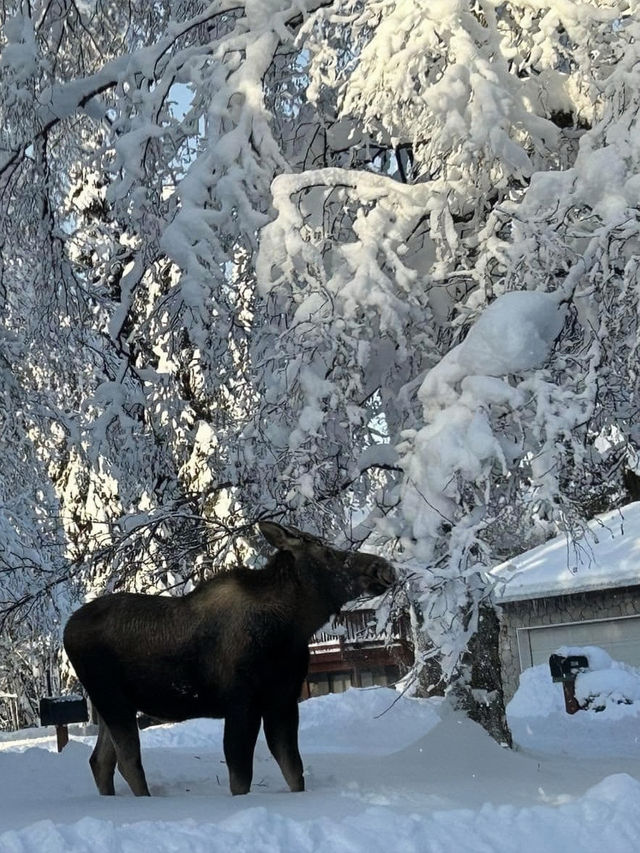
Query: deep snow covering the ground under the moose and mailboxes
[383, 774]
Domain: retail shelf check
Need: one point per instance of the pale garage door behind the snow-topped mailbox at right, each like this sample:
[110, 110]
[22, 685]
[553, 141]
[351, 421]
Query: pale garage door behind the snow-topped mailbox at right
[619, 637]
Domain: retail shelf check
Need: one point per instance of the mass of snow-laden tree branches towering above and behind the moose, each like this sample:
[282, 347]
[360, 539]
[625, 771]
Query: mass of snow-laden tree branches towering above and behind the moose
[365, 265]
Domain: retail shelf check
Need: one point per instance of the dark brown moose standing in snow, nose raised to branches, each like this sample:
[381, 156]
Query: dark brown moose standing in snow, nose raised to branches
[236, 647]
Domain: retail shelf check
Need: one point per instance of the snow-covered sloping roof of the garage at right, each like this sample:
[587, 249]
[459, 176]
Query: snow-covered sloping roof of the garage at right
[606, 558]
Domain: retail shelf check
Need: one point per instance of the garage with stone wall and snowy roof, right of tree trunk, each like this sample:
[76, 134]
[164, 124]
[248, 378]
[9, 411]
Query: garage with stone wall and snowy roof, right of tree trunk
[568, 593]
